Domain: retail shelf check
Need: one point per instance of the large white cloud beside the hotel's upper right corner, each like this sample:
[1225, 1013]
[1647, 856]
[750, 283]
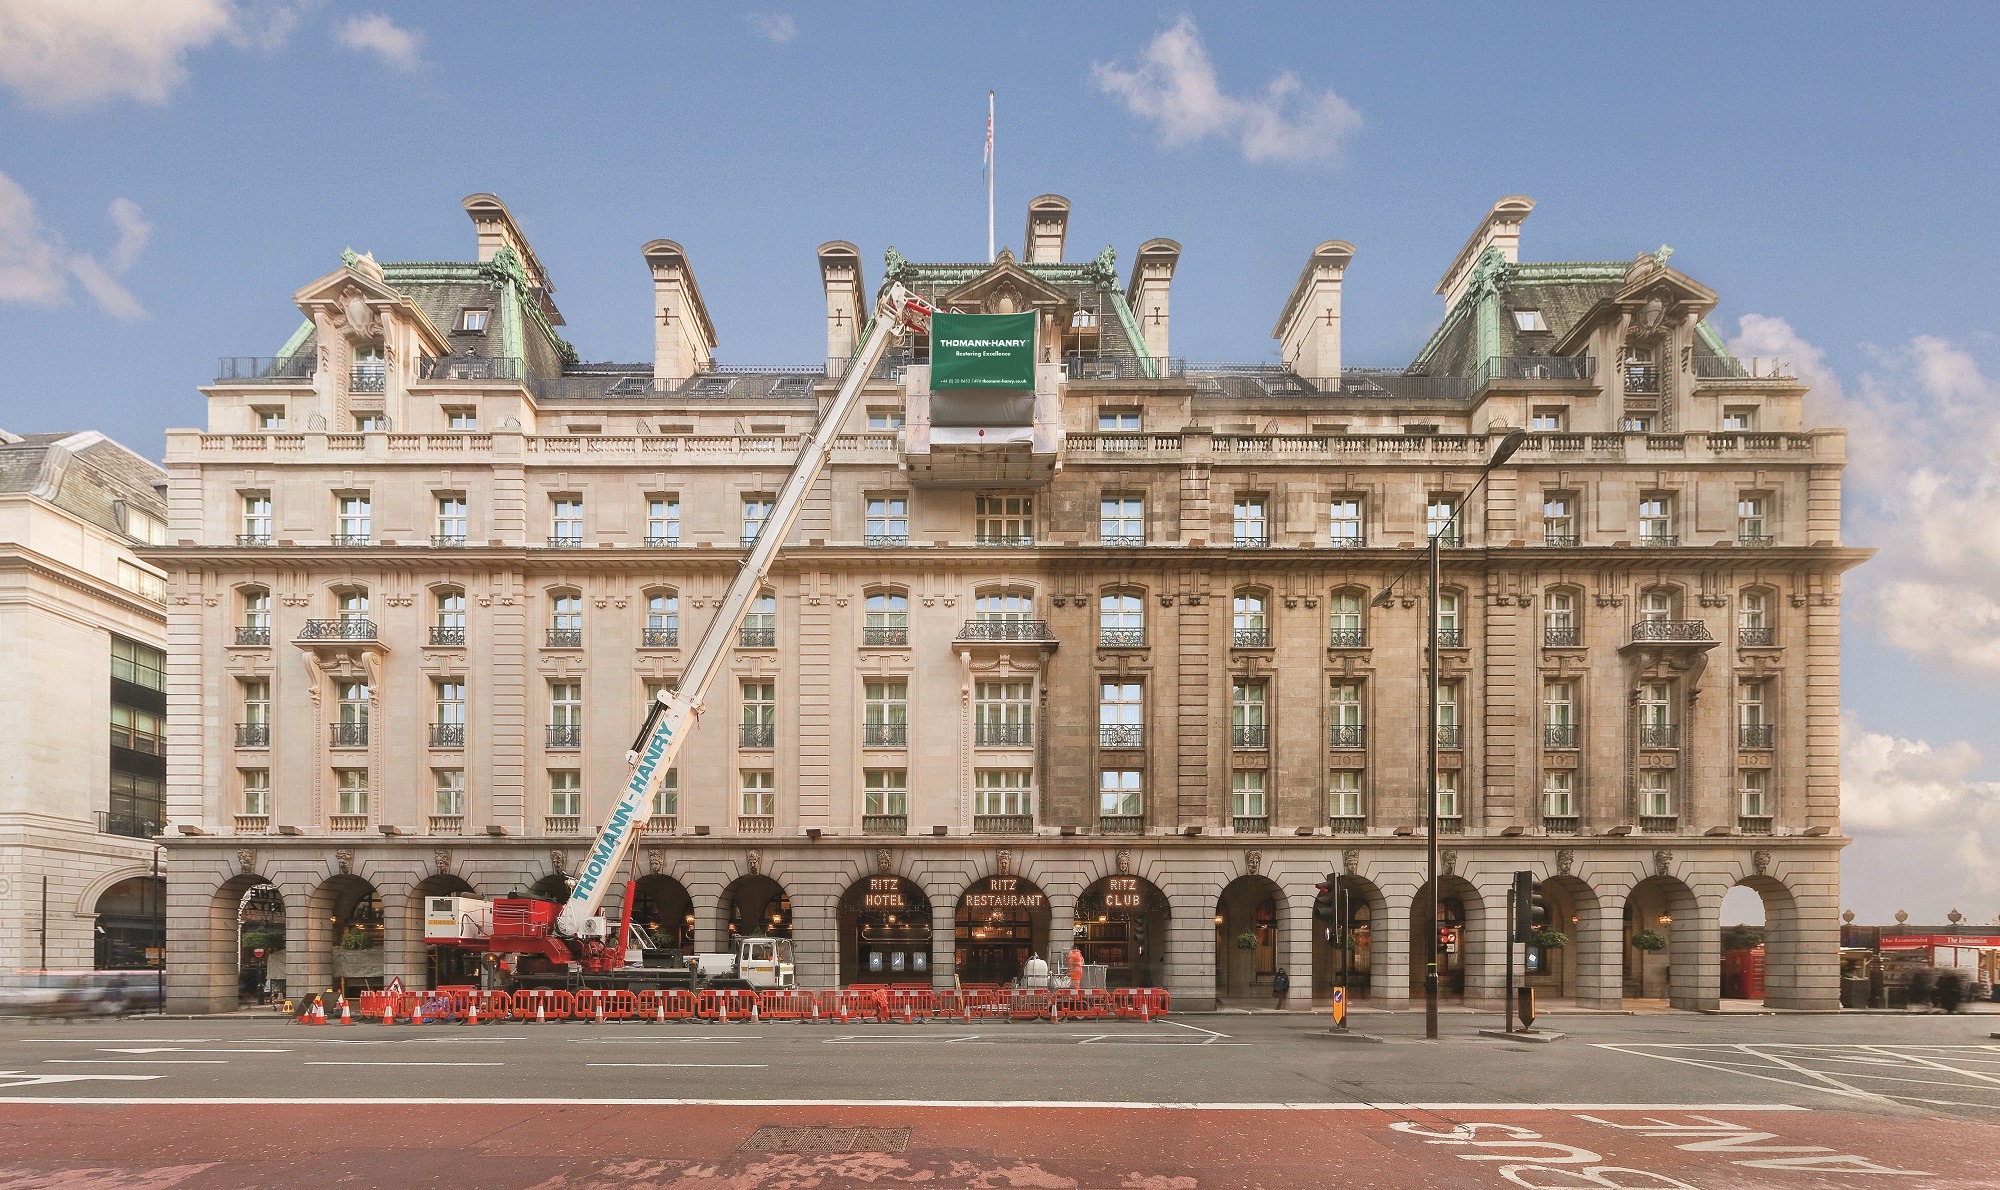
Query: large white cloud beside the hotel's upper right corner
[1923, 433]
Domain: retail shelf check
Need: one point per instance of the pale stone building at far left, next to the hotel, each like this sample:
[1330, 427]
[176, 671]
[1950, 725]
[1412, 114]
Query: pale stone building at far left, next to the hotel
[83, 777]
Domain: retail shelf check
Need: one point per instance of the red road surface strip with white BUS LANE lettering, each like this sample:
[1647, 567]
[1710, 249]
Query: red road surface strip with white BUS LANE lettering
[533, 1147]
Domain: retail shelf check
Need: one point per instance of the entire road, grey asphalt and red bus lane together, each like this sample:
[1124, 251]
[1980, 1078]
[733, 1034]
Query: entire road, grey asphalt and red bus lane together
[1195, 1103]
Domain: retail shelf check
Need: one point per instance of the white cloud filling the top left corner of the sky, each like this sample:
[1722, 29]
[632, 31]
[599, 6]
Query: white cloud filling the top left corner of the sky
[79, 53]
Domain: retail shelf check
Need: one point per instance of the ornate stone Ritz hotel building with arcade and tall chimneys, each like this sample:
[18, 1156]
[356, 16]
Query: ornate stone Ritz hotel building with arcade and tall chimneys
[1113, 679]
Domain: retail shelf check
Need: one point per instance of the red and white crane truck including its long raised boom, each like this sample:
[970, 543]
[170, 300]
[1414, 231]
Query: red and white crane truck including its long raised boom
[527, 941]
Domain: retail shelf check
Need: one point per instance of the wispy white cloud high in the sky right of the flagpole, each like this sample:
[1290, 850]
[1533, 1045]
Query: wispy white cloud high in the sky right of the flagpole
[1177, 89]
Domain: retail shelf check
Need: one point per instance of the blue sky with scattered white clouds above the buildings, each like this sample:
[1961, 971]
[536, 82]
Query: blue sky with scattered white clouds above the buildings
[173, 171]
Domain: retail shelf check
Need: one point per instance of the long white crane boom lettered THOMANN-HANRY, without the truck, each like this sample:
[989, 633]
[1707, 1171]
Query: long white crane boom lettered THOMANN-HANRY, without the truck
[667, 721]
